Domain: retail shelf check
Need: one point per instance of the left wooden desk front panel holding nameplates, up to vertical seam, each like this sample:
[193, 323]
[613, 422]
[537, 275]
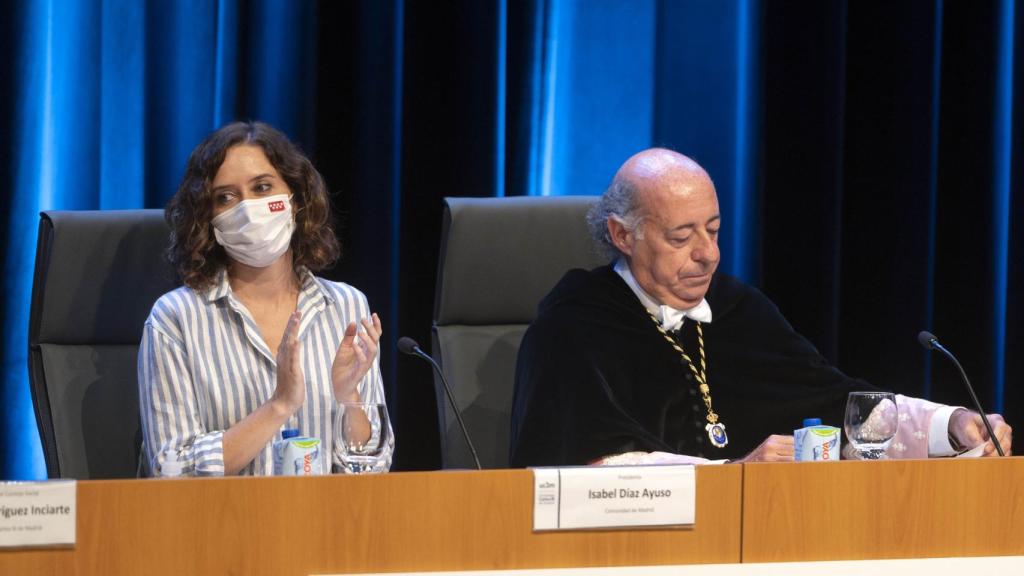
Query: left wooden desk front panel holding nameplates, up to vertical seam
[396, 522]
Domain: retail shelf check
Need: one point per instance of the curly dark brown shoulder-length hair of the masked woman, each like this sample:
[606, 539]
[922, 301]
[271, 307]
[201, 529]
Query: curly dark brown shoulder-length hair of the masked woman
[194, 251]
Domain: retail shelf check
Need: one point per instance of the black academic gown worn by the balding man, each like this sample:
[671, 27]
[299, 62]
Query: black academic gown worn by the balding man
[596, 378]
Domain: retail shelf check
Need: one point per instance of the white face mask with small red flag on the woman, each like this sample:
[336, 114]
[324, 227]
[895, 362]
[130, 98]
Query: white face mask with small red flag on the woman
[257, 232]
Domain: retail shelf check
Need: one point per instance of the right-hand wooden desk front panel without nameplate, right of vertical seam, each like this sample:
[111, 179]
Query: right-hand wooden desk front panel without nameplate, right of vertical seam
[887, 510]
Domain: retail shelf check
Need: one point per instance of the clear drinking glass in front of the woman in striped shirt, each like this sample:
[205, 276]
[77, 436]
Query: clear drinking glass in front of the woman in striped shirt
[365, 438]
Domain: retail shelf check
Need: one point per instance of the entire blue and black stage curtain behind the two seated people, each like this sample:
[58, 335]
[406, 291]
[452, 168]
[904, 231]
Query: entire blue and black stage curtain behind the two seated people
[868, 155]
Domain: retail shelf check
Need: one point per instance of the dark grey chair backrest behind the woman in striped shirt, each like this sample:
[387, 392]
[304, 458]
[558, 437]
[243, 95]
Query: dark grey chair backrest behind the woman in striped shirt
[98, 275]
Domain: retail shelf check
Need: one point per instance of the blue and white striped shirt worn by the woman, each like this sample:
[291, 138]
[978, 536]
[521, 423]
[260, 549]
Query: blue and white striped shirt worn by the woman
[203, 366]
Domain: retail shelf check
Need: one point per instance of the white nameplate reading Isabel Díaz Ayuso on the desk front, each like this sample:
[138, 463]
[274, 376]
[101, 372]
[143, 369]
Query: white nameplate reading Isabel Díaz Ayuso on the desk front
[614, 498]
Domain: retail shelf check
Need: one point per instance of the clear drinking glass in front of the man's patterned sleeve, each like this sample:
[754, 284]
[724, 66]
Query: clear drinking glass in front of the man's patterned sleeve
[871, 423]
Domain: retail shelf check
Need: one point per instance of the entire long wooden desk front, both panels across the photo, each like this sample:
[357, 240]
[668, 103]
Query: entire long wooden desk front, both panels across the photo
[483, 520]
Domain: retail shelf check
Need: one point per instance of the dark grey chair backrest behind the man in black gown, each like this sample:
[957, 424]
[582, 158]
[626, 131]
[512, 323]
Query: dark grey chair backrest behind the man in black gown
[499, 258]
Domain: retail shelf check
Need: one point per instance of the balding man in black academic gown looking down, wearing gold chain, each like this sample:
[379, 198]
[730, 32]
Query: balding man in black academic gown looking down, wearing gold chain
[599, 376]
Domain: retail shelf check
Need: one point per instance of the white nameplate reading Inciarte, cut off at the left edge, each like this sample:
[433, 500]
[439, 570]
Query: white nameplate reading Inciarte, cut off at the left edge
[38, 514]
